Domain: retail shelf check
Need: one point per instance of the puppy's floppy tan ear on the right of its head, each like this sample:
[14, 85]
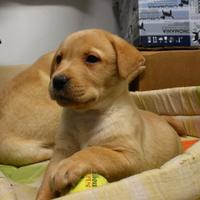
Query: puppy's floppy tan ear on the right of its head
[129, 60]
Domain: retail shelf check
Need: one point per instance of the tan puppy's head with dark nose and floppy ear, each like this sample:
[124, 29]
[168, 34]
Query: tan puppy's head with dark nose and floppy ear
[91, 65]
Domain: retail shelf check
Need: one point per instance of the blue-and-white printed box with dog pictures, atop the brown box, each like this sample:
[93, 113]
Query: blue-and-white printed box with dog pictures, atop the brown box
[160, 23]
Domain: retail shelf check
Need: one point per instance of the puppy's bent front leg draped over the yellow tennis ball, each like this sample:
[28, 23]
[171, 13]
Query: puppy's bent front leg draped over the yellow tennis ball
[112, 164]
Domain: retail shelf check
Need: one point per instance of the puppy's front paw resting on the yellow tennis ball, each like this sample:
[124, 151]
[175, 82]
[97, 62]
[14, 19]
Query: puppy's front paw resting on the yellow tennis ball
[67, 174]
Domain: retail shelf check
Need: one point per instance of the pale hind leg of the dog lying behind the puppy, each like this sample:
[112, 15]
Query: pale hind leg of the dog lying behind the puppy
[19, 152]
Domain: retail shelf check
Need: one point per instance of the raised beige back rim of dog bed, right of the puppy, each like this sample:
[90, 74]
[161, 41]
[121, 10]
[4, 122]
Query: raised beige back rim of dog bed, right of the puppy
[183, 103]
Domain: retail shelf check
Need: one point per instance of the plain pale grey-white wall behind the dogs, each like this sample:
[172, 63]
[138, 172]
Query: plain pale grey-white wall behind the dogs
[29, 29]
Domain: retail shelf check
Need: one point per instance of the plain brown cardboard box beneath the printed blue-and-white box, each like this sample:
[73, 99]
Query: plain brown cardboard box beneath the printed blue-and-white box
[167, 69]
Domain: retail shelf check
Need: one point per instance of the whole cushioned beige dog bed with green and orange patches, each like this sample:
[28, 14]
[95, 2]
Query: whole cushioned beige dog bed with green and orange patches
[178, 179]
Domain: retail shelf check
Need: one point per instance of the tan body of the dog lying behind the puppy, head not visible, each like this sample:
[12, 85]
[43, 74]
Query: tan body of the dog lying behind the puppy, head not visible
[28, 117]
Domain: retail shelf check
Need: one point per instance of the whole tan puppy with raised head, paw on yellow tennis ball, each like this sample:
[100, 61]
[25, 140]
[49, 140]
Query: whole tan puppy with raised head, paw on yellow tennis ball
[102, 130]
